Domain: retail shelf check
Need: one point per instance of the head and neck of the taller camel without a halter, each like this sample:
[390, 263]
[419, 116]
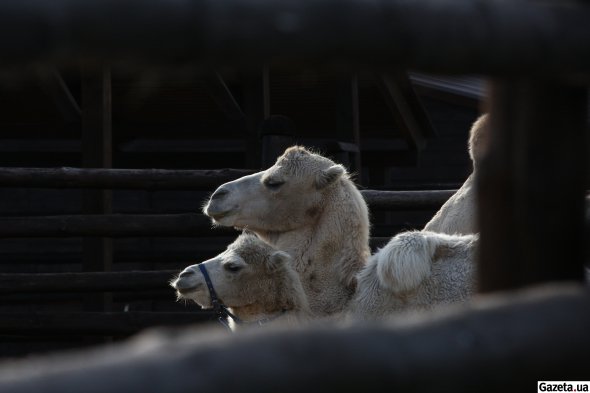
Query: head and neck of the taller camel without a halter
[307, 206]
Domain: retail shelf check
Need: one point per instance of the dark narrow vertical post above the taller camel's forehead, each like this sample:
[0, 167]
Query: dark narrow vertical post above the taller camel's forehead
[256, 107]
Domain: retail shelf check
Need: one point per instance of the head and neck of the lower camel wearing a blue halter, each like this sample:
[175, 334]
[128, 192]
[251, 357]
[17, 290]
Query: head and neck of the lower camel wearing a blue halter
[254, 280]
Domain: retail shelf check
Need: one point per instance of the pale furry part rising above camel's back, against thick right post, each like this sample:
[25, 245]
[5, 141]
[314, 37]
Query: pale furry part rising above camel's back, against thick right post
[457, 215]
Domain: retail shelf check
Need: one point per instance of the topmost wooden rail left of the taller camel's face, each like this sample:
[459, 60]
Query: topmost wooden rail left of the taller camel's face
[145, 179]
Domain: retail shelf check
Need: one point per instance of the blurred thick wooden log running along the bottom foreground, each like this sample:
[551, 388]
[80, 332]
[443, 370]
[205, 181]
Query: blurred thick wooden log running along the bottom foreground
[502, 341]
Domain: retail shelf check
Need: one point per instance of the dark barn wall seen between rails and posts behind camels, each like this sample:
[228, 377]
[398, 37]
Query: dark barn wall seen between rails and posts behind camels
[170, 121]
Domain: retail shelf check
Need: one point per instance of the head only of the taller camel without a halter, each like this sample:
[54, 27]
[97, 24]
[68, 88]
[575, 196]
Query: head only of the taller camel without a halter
[287, 196]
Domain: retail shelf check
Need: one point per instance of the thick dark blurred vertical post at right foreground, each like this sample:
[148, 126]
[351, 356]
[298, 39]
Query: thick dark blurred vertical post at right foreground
[531, 185]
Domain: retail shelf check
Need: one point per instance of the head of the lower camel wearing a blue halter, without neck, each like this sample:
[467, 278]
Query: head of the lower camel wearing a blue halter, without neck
[245, 274]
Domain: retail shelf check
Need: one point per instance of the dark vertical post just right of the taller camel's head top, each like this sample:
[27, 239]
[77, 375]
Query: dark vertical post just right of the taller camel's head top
[348, 119]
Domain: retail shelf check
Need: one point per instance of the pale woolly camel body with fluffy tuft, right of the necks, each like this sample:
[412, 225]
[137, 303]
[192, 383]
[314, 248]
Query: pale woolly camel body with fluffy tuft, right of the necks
[420, 271]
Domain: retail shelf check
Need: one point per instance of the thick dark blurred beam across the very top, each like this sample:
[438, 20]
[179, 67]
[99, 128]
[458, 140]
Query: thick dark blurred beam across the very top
[480, 36]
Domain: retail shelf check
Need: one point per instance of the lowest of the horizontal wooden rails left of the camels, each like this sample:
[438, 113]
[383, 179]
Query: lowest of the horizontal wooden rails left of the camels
[90, 323]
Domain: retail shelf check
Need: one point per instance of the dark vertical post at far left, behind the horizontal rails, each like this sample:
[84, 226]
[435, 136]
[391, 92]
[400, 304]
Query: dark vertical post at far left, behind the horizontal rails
[97, 153]
